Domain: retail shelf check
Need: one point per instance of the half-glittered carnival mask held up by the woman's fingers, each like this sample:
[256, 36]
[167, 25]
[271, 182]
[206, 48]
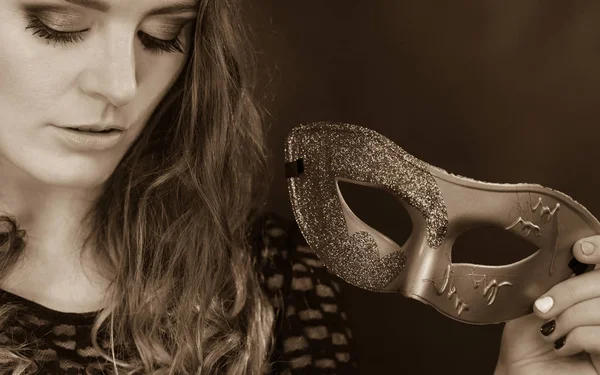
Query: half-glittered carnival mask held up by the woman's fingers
[441, 206]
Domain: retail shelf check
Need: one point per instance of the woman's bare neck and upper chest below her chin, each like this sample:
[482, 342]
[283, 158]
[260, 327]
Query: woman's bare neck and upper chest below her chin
[51, 271]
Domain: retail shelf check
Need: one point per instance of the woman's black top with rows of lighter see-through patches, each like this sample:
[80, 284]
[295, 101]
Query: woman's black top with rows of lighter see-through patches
[312, 332]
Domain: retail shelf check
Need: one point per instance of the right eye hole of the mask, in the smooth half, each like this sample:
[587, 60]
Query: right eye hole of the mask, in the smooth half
[490, 246]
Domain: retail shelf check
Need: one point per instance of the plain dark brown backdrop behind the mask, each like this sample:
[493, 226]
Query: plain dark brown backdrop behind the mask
[496, 91]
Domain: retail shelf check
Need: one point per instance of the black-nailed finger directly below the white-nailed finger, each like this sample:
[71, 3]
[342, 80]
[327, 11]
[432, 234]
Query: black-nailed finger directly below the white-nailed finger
[586, 313]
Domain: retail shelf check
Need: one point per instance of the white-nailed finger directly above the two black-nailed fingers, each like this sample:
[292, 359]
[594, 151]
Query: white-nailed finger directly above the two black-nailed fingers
[568, 293]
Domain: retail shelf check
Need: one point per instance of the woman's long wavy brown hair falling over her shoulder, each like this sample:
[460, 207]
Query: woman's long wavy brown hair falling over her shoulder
[173, 222]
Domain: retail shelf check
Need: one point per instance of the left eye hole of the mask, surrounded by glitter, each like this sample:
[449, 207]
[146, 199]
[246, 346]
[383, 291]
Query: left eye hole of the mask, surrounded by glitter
[379, 209]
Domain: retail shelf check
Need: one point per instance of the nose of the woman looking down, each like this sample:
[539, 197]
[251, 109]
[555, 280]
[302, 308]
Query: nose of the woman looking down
[112, 72]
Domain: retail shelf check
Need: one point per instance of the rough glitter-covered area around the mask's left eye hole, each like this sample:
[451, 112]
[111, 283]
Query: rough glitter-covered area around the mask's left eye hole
[329, 151]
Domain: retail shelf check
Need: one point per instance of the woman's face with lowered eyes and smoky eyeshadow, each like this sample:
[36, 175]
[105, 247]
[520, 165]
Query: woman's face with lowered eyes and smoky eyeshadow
[113, 63]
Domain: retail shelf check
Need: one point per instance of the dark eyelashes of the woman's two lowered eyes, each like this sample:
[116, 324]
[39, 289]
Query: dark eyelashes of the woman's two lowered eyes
[154, 45]
